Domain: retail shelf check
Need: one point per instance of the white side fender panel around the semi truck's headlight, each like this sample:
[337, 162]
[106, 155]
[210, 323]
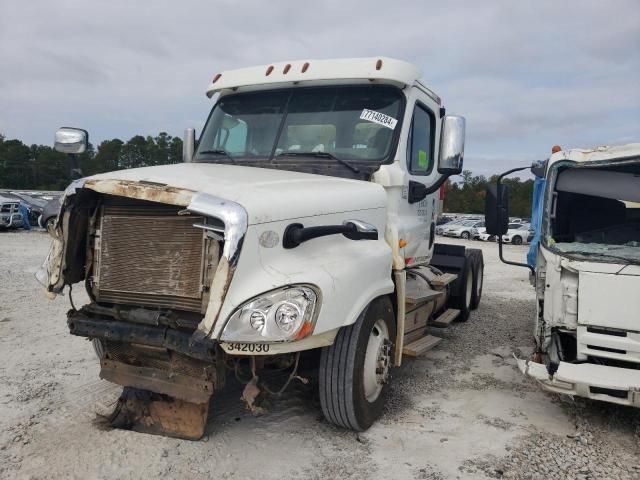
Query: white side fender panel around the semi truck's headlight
[348, 273]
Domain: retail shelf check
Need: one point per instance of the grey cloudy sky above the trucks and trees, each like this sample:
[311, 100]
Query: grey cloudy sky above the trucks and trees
[526, 75]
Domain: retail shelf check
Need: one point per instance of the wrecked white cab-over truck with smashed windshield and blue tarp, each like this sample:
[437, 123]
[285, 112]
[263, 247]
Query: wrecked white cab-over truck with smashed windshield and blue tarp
[585, 264]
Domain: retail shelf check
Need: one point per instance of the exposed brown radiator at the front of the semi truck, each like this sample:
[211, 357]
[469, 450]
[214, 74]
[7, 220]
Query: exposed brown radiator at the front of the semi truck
[148, 255]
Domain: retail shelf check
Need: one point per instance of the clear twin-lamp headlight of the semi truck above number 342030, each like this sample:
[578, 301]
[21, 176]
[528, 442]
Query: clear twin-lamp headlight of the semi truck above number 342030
[282, 315]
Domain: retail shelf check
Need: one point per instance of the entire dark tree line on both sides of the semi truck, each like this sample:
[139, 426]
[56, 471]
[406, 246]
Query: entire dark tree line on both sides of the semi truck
[39, 167]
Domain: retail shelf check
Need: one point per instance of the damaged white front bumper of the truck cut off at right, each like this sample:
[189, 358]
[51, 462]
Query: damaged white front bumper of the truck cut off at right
[597, 382]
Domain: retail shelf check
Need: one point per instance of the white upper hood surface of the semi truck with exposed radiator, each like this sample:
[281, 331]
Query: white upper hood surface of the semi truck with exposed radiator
[267, 195]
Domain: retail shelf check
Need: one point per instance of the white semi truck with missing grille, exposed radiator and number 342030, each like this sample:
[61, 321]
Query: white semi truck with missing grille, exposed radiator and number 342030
[298, 235]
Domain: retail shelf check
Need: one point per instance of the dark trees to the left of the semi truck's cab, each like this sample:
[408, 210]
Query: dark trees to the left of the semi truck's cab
[40, 167]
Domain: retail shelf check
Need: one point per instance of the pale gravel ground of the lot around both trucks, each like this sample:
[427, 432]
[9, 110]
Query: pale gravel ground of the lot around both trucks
[463, 411]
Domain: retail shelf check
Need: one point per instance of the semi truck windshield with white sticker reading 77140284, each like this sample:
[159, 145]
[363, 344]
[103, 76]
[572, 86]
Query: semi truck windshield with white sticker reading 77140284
[350, 127]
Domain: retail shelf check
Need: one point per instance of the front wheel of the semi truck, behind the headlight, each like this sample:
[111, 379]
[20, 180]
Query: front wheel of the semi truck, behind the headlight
[354, 371]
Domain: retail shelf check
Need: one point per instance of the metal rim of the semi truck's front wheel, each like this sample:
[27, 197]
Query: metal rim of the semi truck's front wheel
[377, 361]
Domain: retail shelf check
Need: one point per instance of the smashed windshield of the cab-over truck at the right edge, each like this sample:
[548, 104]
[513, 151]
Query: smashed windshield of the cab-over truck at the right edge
[597, 213]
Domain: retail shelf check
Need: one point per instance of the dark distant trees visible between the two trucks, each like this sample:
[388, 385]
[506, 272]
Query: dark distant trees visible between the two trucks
[467, 196]
